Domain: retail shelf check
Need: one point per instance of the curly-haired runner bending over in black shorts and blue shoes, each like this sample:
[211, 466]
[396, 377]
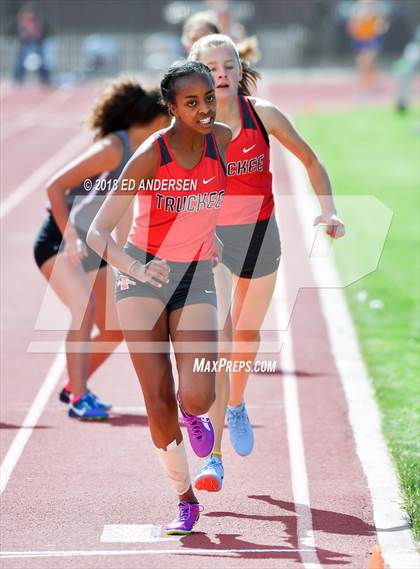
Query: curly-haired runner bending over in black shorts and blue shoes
[122, 119]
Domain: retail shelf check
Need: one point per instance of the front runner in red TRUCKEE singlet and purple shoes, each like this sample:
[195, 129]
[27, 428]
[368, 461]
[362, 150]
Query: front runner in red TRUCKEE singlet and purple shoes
[165, 290]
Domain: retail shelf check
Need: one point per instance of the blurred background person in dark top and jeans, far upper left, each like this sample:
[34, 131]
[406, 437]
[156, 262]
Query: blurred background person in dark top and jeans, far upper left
[32, 50]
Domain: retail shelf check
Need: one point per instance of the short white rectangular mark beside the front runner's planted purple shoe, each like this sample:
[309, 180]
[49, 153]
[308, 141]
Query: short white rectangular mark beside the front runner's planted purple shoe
[134, 533]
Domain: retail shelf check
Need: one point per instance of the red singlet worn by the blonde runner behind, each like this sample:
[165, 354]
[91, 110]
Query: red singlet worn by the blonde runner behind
[249, 196]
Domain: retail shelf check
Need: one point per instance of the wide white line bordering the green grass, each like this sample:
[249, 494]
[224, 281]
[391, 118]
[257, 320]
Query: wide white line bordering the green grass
[394, 535]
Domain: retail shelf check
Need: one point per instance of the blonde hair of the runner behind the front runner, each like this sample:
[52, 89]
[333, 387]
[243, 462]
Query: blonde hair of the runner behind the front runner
[249, 76]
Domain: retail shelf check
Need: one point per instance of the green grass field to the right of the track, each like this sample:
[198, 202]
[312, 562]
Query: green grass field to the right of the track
[376, 152]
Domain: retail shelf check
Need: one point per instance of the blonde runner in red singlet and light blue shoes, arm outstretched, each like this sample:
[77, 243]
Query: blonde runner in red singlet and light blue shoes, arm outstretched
[247, 228]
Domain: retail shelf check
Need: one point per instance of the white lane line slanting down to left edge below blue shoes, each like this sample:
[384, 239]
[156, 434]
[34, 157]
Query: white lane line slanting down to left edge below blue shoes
[30, 421]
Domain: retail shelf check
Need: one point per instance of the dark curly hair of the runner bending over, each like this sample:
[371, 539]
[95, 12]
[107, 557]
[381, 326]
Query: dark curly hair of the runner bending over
[122, 105]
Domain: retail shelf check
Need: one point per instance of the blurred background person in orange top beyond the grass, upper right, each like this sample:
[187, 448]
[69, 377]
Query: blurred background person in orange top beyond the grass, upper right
[367, 25]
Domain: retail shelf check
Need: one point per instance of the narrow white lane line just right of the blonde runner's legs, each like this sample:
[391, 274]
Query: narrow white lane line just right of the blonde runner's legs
[299, 476]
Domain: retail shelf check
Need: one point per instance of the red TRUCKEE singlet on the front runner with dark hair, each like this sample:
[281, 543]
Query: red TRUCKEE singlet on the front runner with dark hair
[179, 208]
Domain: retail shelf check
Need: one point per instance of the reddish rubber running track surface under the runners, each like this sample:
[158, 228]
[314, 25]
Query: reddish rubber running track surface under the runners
[73, 478]
